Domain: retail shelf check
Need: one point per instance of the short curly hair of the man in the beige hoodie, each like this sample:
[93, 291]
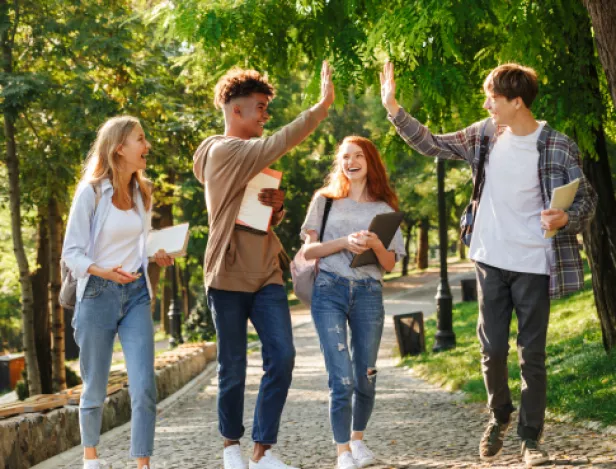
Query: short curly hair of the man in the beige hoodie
[237, 83]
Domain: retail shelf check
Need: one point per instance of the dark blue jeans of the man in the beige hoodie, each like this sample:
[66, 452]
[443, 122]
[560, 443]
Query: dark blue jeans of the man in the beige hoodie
[268, 310]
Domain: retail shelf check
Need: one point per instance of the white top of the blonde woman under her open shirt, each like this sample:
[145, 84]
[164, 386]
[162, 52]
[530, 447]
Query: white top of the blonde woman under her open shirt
[119, 242]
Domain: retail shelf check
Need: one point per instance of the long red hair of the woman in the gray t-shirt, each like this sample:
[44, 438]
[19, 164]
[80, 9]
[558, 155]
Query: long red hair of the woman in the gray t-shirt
[337, 184]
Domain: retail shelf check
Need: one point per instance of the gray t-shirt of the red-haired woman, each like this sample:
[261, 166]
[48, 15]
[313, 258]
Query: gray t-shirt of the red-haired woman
[345, 217]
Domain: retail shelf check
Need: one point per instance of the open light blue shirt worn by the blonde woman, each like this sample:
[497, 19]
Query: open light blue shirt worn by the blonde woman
[84, 227]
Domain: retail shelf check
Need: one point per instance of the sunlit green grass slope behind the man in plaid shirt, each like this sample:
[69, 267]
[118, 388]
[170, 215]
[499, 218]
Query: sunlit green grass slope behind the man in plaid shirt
[581, 375]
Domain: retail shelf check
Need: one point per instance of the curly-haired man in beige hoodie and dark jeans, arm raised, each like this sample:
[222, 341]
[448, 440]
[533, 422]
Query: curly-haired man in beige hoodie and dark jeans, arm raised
[243, 278]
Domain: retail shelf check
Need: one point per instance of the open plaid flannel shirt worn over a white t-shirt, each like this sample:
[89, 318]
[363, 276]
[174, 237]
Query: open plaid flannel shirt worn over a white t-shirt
[558, 165]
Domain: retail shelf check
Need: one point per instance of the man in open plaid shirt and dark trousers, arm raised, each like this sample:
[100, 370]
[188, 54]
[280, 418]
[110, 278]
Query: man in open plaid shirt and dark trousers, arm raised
[516, 267]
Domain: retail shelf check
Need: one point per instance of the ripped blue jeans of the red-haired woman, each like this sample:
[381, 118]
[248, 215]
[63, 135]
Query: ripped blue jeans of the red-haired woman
[336, 302]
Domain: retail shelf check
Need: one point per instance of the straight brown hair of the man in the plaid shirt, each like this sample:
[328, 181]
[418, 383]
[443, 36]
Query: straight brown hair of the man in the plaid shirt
[512, 81]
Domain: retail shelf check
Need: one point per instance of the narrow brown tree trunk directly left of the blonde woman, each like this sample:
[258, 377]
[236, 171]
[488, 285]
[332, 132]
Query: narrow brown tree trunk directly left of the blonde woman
[57, 314]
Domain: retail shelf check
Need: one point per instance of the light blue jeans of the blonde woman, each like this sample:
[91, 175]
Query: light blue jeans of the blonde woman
[108, 308]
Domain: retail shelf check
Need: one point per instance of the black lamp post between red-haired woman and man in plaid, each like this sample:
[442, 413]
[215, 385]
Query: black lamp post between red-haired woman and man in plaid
[445, 338]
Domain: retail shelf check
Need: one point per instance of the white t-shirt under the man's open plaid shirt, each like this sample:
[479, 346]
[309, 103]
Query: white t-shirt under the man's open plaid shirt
[507, 233]
